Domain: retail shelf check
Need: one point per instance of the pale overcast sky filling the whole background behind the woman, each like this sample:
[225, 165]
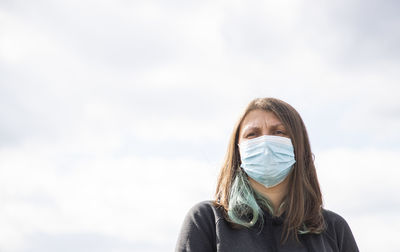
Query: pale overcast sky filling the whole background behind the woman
[115, 115]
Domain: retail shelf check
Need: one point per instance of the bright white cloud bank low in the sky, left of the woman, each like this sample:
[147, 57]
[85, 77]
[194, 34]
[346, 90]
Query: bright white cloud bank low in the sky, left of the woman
[132, 198]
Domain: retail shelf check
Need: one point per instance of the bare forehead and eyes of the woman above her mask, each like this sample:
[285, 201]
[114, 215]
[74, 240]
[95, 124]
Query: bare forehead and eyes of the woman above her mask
[260, 122]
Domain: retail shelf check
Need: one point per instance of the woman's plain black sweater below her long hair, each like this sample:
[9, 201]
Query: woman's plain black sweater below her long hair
[206, 229]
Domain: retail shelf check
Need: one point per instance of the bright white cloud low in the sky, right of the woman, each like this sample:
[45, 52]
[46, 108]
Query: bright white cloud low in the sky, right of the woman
[362, 185]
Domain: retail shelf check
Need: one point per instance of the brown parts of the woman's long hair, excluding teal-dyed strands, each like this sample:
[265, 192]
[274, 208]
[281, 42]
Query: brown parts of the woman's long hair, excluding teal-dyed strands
[303, 202]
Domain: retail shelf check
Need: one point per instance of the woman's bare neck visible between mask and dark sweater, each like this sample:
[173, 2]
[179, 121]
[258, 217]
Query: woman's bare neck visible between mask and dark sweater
[274, 194]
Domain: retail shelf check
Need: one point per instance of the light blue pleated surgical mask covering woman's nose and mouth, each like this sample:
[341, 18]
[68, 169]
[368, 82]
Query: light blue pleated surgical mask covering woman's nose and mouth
[267, 159]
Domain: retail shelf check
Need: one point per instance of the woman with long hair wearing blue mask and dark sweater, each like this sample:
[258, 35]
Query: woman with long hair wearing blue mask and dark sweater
[268, 197]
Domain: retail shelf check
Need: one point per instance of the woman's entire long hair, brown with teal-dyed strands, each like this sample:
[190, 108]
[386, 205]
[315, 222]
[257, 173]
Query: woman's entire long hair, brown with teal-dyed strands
[303, 202]
